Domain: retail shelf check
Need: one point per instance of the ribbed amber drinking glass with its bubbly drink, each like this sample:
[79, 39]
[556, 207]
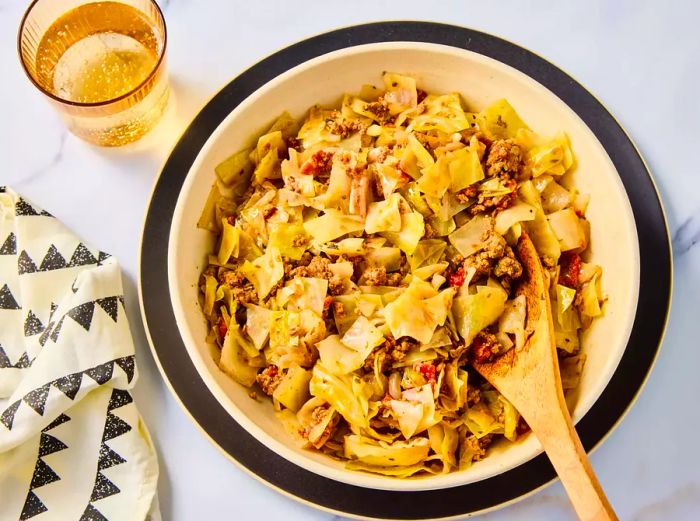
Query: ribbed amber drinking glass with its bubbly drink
[101, 64]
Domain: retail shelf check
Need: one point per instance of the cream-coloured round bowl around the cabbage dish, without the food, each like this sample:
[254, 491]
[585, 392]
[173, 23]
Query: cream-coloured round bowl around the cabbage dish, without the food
[438, 69]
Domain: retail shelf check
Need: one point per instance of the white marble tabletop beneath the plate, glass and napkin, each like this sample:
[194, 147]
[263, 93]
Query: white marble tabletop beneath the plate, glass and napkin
[641, 58]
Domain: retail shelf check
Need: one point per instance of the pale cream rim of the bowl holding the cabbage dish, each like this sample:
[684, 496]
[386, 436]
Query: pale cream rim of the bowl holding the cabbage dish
[193, 345]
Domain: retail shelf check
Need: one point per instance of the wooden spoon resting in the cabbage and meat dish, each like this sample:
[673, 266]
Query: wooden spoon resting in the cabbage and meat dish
[529, 378]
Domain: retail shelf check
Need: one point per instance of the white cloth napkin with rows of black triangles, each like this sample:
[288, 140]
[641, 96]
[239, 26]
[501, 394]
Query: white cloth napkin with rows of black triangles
[72, 444]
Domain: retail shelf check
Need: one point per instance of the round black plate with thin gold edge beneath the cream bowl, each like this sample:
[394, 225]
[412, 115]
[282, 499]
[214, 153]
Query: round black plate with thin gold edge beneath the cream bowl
[654, 292]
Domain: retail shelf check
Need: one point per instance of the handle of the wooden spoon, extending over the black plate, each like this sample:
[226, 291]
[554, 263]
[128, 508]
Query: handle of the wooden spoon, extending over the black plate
[569, 459]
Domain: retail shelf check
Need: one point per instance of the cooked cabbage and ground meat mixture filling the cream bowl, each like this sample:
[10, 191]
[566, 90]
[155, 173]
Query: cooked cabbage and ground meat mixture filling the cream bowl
[364, 258]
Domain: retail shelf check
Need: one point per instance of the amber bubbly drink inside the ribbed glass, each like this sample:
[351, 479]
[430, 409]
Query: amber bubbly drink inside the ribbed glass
[98, 53]
